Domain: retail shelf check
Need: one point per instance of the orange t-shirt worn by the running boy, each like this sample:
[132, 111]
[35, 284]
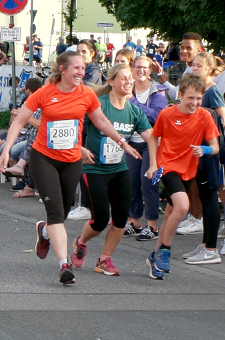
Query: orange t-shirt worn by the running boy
[178, 131]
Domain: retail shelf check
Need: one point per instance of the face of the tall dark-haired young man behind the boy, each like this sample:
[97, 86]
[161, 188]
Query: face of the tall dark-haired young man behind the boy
[188, 50]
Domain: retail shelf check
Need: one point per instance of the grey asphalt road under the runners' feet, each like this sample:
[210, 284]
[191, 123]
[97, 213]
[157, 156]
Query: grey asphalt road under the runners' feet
[188, 304]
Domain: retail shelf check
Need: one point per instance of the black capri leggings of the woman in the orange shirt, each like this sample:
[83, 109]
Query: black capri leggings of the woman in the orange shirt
[56, 183]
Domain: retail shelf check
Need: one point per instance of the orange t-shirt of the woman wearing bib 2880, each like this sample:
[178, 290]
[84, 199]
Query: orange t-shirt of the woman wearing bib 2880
[61, 109]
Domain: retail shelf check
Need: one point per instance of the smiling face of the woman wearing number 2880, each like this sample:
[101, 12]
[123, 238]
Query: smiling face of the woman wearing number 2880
[73, 75]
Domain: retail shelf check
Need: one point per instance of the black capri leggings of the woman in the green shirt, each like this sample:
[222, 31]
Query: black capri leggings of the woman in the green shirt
[108, 189]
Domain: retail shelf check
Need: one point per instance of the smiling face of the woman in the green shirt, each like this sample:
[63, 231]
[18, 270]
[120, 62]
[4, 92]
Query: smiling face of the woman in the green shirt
[123, 82]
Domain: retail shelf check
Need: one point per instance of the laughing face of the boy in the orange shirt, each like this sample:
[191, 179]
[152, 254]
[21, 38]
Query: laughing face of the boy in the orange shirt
[190, 100]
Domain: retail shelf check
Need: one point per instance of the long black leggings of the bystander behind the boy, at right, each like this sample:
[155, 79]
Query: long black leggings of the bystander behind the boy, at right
[210, 209]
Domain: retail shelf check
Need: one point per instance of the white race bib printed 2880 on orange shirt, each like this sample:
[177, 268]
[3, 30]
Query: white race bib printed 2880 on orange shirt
[62, 134]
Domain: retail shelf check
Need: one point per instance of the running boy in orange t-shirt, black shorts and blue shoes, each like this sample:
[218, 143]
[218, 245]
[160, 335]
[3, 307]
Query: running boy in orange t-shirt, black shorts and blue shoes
[182, 129]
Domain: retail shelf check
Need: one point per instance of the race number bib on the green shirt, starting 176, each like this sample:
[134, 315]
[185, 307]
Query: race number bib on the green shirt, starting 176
[110, 151]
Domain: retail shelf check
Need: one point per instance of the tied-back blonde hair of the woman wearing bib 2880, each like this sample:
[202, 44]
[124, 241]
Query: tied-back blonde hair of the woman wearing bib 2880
[64, 60]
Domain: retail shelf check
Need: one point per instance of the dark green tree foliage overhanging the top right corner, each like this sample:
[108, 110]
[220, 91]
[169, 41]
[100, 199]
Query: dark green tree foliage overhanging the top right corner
[172, 18]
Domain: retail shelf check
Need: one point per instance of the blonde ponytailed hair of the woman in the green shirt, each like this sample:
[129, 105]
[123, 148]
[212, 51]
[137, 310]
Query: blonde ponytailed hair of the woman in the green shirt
[100, 90]
